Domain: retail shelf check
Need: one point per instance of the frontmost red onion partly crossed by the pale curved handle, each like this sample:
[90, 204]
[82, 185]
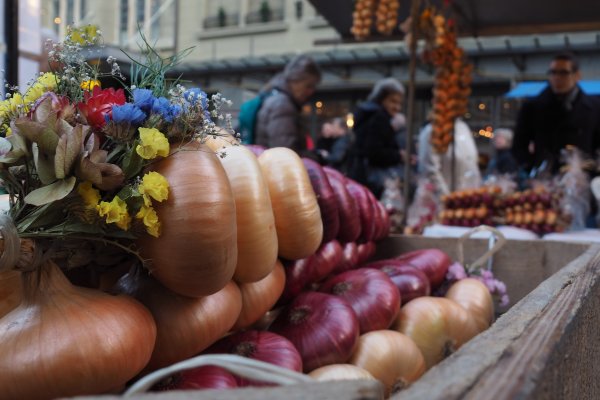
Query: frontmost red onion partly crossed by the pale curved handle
[262, 346]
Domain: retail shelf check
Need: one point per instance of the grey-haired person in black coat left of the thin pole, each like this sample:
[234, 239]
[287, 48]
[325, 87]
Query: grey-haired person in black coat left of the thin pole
[376, 155]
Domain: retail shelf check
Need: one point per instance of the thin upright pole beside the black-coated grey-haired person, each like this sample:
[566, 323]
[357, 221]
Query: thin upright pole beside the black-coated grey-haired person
[410, 117]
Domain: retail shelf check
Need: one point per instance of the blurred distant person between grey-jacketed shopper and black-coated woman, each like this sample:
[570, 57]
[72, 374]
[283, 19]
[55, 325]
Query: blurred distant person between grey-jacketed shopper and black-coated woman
[334, 144]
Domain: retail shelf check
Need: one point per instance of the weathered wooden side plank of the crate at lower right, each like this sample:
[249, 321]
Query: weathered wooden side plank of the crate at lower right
[508, 360]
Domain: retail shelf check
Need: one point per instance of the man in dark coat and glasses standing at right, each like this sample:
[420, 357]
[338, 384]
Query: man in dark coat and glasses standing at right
[563, 114]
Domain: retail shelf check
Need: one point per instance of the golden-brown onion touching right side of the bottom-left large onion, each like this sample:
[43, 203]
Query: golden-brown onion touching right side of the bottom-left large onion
[185, 325]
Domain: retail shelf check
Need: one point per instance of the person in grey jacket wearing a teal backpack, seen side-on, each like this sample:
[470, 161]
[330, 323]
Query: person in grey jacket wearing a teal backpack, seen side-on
[279, 121]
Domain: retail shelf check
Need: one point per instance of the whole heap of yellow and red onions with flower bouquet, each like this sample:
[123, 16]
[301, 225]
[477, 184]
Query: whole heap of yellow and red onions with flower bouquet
[191, 244]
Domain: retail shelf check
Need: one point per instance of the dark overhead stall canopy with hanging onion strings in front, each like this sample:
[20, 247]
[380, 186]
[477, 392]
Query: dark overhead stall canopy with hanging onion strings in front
[487, 17]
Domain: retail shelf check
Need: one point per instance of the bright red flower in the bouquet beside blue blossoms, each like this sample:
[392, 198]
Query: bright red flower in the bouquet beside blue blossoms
[98, 105]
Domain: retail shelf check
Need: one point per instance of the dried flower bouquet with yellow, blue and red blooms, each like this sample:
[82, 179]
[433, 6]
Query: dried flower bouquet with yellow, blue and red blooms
[76, 159]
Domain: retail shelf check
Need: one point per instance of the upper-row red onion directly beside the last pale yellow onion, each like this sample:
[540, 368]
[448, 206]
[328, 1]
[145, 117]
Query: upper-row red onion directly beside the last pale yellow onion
[349, 215]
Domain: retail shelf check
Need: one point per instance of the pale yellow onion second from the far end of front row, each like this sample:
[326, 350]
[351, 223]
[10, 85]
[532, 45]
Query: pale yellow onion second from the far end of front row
[437, 325]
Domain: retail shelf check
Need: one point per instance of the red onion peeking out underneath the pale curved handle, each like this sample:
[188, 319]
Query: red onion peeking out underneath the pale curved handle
[206, 377]
